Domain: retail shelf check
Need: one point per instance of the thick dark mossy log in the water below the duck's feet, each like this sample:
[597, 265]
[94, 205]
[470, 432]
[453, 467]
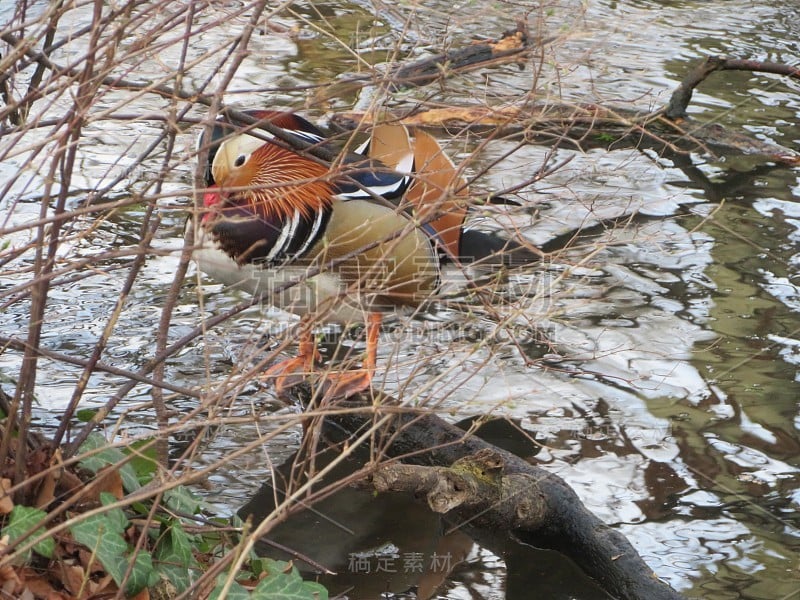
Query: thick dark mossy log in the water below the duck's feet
[494, 495]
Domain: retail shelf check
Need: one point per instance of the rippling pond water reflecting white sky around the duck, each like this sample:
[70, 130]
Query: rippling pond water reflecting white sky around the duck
[667, 393]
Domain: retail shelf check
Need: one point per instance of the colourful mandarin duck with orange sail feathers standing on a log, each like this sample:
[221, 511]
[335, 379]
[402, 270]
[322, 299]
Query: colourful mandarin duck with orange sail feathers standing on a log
[345, 242]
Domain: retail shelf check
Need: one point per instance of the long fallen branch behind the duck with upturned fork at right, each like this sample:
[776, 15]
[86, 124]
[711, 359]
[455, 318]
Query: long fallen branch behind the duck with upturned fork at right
[667, 130]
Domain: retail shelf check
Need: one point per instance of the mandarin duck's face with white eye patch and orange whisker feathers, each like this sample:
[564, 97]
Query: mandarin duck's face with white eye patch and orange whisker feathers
[268, 180]
